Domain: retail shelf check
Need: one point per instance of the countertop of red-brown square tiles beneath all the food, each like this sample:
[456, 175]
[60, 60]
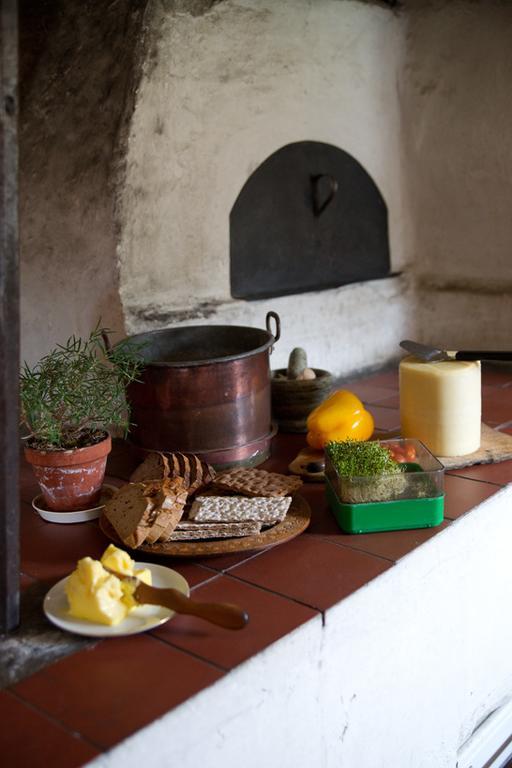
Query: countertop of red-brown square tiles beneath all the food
[85, 703]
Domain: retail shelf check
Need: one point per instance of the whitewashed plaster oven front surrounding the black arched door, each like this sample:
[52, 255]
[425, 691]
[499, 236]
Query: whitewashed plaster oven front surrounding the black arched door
[223, 91]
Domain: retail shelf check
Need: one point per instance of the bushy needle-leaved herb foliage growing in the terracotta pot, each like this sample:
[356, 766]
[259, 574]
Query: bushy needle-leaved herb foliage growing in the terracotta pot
[77, 392]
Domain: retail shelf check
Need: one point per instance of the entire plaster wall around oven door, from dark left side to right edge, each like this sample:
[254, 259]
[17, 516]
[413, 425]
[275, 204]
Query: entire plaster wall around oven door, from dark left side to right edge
[419, 96]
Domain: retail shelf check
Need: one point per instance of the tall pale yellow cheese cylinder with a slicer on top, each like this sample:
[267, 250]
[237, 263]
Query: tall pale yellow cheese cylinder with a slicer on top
[441, 405]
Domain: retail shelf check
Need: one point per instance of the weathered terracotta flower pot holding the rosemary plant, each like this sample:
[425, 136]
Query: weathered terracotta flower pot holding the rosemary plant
[70, 480]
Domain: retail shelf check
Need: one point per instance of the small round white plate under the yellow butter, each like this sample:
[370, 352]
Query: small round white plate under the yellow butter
[140, 619]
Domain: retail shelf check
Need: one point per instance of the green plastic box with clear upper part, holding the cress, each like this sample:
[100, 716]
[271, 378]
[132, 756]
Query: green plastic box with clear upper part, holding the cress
[416, 500]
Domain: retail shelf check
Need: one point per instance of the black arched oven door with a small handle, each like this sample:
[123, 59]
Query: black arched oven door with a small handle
[310, 217]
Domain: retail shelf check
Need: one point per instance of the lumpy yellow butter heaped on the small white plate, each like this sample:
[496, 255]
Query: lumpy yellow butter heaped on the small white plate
[96, 595]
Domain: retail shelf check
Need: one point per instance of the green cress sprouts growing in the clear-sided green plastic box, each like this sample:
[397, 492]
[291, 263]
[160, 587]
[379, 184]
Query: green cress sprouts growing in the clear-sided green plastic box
[353, 458]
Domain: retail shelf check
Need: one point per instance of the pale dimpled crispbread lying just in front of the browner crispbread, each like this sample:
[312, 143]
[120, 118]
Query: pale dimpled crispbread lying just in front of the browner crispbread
[226, 509]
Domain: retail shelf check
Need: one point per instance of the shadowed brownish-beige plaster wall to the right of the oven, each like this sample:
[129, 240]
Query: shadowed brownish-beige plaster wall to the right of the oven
[455, 95]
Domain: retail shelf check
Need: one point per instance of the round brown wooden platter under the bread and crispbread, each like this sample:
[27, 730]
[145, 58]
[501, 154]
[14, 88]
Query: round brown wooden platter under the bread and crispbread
[296, 521]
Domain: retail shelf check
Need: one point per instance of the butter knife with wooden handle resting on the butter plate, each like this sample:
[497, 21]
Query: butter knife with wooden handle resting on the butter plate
[223, 614]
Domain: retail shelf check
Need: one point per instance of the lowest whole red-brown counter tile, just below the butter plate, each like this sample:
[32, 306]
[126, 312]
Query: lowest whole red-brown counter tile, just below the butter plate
[115, 688]
